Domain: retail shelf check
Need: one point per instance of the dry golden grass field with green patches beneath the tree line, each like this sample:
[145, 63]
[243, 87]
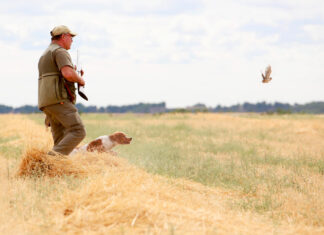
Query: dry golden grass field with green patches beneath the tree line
[182, 174]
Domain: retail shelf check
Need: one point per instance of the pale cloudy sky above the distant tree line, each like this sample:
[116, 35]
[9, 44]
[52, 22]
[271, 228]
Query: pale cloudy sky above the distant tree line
[181, 52]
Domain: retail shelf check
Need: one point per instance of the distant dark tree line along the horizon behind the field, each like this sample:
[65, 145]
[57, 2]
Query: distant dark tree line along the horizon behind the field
[261, 107]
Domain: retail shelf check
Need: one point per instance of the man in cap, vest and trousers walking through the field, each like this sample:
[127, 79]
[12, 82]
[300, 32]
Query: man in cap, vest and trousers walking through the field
[56, 92]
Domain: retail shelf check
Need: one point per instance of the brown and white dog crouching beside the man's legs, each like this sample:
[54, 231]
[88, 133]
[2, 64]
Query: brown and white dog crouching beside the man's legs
[104, 143]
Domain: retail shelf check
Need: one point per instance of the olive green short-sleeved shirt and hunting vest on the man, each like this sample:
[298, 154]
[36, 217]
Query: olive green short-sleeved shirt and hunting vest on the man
[52, 87]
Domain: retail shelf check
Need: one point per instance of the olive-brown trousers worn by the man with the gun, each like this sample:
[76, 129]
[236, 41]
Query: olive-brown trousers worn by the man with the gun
[66, 126]
